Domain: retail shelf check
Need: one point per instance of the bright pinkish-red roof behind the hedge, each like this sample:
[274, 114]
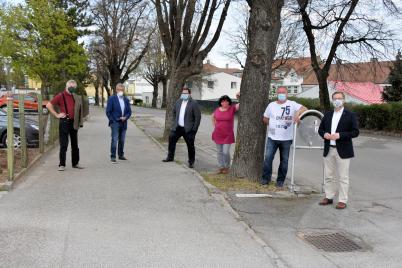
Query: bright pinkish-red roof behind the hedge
[364, 91]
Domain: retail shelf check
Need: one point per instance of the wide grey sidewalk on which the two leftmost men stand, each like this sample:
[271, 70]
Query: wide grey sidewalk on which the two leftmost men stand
[139, 213]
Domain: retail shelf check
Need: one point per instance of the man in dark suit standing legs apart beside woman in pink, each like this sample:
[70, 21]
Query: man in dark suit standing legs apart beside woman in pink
[187, 116]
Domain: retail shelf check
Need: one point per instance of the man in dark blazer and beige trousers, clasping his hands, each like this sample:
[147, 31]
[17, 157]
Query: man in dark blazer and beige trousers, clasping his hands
[337, 128]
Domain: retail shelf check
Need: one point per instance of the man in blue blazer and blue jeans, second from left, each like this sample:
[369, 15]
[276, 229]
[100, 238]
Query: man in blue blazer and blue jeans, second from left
[118, 111]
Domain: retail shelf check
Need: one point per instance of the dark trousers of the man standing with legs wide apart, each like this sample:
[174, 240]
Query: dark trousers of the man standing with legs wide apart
[189, 138]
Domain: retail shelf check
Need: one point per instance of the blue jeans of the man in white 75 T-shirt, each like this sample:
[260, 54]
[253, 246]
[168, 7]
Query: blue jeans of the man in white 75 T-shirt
[270, 150]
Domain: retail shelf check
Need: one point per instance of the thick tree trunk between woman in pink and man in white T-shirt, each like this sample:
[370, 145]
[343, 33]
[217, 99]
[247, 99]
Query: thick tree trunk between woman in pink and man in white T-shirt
[263, 33]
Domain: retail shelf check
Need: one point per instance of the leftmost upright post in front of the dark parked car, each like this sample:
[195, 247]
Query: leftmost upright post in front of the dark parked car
[10, 138]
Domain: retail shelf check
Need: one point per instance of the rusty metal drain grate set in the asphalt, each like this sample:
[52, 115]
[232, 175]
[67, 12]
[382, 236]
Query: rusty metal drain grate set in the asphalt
[331, 241]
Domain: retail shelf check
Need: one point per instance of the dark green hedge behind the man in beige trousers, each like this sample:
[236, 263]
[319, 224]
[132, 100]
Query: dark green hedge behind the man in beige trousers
[386, 116]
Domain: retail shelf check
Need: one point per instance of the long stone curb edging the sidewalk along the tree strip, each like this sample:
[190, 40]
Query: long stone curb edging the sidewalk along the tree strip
[222, 198]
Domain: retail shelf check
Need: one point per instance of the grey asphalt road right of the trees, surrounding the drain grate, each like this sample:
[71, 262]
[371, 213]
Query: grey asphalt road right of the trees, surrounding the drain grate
[373, 216]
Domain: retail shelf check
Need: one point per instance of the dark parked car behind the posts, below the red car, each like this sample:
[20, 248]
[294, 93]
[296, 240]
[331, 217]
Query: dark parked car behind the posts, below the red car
[31, 130]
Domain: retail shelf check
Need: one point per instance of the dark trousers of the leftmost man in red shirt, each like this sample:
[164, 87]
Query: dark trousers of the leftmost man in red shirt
[66, 128]
